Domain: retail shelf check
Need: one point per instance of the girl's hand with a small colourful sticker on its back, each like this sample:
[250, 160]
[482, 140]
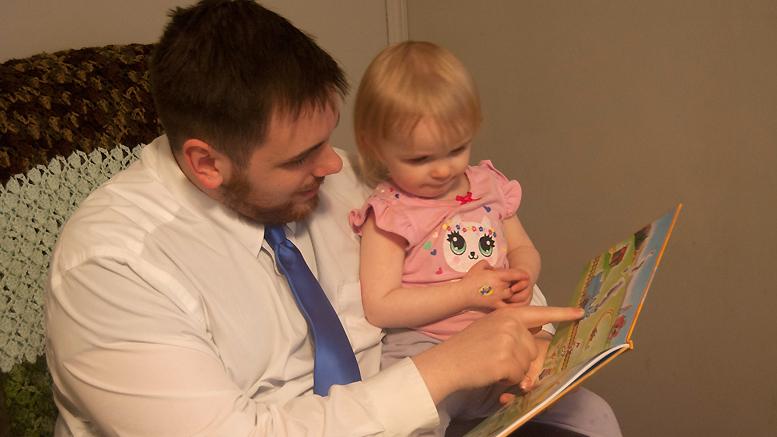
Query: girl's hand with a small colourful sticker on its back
[487, 288]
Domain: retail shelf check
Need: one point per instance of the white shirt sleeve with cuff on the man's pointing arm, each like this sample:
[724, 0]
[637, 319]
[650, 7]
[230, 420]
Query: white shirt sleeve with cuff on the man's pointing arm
[128, 360]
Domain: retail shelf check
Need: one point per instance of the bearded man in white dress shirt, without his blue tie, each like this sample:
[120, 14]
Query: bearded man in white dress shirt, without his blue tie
[167, 311]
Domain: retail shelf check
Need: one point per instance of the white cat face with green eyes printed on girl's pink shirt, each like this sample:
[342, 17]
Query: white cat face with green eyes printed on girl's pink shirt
[466, 243]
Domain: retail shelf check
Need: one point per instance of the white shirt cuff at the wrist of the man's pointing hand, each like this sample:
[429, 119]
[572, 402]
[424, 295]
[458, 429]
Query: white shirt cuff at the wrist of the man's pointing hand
[402, 400]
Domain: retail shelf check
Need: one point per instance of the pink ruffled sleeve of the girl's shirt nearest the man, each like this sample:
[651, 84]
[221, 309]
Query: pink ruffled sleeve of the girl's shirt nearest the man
[390, 215]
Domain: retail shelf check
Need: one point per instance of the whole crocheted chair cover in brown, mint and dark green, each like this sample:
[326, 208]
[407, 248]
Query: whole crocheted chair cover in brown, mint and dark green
[68, 121]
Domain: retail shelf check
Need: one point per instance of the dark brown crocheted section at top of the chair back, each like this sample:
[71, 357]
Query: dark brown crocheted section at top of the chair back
[54, 104]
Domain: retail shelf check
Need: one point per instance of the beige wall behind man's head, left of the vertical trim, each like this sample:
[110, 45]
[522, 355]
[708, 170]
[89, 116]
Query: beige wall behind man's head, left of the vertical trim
[353, 31]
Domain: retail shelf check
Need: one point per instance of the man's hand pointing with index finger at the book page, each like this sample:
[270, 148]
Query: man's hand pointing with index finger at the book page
[497, 348]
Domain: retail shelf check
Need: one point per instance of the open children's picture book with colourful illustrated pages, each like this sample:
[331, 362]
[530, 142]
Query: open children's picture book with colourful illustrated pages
[611, 290]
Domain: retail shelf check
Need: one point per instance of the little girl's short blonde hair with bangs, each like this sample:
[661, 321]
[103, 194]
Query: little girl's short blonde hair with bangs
[406, 82]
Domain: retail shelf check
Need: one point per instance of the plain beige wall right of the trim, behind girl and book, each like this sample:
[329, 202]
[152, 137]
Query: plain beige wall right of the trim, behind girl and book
[611, 112]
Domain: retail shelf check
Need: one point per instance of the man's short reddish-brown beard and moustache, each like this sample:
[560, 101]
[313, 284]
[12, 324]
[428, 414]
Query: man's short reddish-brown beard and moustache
[237, 196]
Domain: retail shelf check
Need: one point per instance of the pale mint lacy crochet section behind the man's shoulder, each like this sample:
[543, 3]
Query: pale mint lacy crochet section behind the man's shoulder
[33, 208]
